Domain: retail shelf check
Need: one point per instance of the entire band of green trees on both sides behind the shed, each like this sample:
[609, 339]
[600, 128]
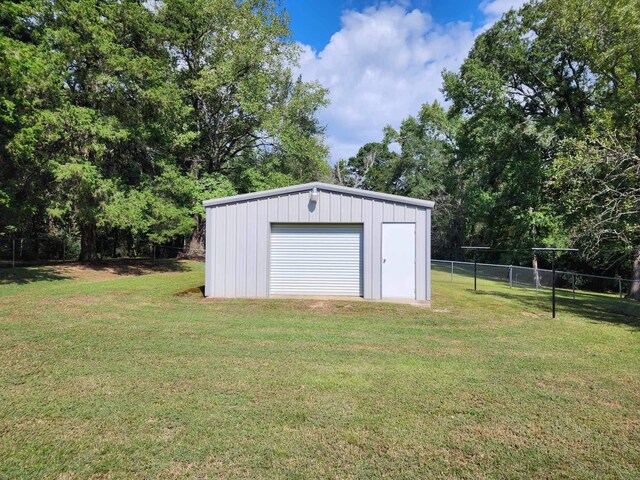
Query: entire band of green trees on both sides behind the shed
[118, 117]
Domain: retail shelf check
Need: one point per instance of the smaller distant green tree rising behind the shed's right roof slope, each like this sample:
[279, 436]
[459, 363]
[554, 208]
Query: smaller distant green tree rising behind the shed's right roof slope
[422, 165]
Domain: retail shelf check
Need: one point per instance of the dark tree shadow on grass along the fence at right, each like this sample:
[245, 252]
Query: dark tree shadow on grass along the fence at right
[592, 306]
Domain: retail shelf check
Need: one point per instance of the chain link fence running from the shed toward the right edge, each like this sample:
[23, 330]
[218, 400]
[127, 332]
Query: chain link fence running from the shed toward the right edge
[575, 291]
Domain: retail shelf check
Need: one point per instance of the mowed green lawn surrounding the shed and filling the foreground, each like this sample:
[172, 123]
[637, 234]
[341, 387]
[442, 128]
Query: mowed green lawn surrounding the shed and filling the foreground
[105, 372]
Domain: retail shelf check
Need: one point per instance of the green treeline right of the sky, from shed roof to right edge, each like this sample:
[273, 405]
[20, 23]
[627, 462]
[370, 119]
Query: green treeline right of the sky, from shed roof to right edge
[540, 145]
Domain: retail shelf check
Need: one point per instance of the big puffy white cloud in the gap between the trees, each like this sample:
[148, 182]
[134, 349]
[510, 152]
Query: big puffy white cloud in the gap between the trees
[382, 65]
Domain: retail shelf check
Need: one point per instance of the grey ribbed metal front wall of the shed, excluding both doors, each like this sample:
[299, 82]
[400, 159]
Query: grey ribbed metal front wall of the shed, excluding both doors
[238, 237]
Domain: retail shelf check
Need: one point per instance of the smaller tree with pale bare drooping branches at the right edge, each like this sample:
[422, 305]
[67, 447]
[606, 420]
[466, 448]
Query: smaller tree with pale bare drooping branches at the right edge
[599, 178]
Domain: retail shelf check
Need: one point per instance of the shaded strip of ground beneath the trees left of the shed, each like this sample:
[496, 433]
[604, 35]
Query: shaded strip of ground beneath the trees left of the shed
[69, 270]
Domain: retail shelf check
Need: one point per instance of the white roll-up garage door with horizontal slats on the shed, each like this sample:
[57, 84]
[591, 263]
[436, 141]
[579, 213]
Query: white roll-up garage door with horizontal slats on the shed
[316, 260]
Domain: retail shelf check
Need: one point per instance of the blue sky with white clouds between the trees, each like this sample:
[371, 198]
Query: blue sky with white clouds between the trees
[382, 60]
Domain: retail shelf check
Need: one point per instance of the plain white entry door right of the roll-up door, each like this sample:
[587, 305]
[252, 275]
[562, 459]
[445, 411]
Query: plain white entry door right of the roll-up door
[398, 260]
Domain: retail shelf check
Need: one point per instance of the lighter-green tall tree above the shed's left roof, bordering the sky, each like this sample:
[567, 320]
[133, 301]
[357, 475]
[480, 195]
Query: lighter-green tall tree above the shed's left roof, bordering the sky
[231, 60]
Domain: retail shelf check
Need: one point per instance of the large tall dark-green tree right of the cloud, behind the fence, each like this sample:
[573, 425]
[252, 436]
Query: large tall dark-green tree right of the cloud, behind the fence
[541, 80]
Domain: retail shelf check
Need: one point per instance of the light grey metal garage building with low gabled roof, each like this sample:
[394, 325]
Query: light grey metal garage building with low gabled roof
[318, 239]
